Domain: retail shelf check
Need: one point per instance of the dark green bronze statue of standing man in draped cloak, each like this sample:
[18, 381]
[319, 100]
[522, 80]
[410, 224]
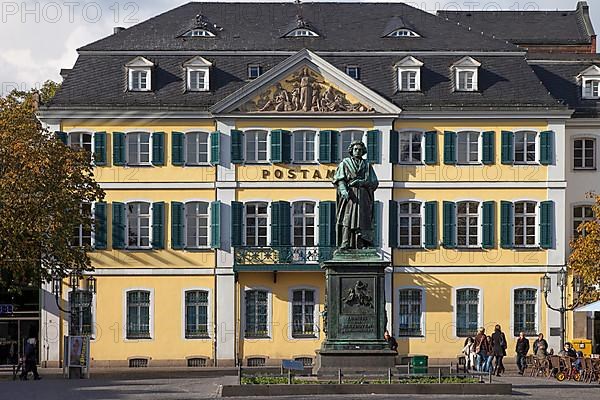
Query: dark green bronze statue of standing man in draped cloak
[356, 183]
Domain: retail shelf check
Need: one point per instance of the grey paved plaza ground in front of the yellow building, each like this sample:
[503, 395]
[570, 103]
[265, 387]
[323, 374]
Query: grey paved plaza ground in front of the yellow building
[105, 388]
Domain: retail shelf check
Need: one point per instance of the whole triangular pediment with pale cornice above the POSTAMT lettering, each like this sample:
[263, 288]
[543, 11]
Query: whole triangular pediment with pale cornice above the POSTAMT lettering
[301, 84]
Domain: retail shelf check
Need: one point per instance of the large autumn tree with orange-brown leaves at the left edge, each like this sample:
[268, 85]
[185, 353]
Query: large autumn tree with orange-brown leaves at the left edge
[43, 184]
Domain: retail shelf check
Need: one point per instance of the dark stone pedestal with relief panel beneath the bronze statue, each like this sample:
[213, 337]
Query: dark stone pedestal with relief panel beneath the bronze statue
[355, 319]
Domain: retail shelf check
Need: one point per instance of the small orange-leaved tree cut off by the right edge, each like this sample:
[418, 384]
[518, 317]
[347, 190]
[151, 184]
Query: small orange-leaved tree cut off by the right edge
[585, 256]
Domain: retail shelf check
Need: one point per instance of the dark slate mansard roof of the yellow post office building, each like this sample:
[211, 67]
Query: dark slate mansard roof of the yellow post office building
[351, 34]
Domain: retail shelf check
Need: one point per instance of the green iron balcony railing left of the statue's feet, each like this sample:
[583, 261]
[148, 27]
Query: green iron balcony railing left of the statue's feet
[282, 255]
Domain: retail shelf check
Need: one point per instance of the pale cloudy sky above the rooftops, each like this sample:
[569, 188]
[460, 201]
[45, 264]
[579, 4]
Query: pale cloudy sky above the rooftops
[41, 37]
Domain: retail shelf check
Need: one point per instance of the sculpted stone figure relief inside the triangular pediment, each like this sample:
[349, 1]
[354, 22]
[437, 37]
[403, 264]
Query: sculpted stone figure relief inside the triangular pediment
[304, 91]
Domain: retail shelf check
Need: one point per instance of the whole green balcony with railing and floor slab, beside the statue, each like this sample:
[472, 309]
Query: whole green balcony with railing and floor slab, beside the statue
[281, 258]
